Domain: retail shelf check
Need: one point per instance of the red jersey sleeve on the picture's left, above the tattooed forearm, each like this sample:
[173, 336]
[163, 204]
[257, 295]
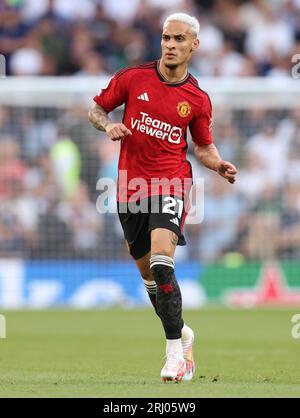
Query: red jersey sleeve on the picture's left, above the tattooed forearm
[114, 94]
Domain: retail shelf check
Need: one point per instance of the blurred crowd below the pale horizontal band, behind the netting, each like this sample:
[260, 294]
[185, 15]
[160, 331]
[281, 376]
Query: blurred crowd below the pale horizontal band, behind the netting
[50, 162]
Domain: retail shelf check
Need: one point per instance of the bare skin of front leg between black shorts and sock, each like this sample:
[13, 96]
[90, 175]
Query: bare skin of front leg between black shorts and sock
[164, 242]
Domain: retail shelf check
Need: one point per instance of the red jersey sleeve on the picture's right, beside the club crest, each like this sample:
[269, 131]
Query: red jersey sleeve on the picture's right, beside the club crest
[201, 125]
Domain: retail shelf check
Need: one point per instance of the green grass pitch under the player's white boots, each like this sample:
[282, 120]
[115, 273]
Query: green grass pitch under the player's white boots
[119, 353]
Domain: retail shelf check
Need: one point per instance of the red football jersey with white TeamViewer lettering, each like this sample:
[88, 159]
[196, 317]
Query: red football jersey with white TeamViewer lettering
[158, 114]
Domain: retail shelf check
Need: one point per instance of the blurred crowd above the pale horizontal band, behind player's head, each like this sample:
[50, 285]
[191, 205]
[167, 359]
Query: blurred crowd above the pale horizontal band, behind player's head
[94, 37]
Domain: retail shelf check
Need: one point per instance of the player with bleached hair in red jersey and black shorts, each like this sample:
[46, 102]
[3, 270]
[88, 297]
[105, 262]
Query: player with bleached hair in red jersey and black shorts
[161, 101]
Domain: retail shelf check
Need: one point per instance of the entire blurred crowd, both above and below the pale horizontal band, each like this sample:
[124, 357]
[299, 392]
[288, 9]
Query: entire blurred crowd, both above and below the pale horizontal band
[50, 159]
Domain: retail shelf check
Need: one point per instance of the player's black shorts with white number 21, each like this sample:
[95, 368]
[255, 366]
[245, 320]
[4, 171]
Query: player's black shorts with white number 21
[166, 212]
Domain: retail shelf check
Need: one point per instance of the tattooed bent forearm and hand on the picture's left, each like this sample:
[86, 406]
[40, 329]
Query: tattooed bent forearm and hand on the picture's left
[100, 120]
